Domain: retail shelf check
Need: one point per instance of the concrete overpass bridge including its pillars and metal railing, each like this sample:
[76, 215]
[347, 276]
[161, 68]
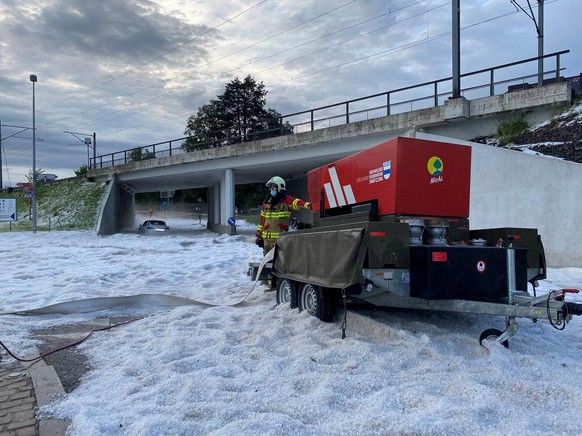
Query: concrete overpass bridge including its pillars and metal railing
[318, 140]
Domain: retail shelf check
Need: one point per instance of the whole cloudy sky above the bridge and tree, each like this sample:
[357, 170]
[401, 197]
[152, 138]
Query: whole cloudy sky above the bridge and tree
[132, 71]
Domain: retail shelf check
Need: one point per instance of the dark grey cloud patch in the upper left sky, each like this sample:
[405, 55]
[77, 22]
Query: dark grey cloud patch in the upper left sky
[130, 31]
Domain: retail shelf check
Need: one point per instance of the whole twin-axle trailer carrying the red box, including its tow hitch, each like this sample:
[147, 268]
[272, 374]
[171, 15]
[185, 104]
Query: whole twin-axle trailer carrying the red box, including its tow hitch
[391, 227]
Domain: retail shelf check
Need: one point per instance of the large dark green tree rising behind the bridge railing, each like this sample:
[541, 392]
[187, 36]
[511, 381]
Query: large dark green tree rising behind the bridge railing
[238, 115]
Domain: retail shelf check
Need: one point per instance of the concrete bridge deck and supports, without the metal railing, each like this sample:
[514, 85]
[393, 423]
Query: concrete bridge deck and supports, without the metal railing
[291, 156]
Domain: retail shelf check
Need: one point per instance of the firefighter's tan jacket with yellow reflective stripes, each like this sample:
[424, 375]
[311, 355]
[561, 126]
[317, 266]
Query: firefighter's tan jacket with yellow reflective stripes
[275, 214]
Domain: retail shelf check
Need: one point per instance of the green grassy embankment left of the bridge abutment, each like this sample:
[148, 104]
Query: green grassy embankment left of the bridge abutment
[69, 205]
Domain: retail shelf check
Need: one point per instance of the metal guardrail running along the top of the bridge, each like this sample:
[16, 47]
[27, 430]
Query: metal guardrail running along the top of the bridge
[382, 104]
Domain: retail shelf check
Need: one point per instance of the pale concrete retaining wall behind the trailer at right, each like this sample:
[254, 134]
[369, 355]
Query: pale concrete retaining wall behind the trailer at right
[514, 189]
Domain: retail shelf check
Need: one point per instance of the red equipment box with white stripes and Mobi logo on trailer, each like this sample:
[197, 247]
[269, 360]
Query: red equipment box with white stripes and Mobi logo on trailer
[407, 176]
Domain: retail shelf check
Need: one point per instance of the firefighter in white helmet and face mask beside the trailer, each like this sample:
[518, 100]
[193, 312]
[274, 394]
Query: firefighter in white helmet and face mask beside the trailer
[275, 213]
